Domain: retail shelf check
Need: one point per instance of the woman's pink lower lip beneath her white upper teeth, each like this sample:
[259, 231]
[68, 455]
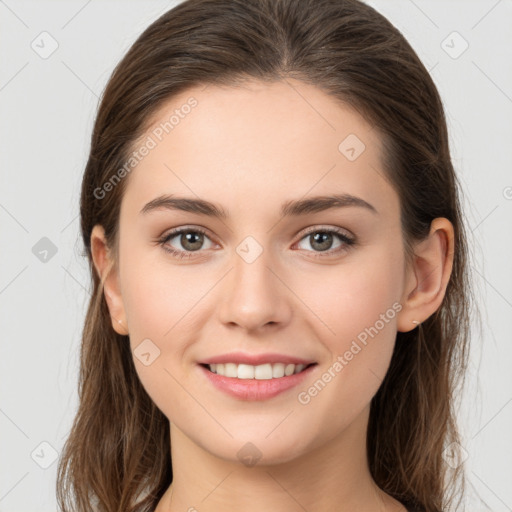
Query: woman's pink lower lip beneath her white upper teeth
[254, 389]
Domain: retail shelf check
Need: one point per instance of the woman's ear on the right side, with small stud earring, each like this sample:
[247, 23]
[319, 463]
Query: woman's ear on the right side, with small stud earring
[428, 276]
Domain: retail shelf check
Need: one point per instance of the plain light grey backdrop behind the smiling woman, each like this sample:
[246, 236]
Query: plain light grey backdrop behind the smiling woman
[55, 60]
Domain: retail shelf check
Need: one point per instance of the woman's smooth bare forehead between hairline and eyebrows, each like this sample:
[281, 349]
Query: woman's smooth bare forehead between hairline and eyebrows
[274, 141]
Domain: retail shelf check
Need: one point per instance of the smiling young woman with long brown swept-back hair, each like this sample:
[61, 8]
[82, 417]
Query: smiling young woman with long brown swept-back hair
[280, 301]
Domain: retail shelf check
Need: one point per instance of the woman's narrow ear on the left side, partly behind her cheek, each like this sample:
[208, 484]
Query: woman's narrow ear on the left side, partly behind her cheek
[108, 273]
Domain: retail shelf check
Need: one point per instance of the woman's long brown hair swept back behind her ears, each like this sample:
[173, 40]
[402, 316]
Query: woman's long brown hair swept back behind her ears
[117, 456]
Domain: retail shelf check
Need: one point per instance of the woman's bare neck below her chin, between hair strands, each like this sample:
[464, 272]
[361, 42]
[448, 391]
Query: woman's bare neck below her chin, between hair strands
[330, 477]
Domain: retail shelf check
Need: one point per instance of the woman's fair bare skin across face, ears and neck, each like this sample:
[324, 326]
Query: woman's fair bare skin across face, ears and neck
[249, 149]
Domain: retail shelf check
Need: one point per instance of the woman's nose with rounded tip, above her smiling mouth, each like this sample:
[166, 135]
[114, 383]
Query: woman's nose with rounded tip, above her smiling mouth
[254, 296]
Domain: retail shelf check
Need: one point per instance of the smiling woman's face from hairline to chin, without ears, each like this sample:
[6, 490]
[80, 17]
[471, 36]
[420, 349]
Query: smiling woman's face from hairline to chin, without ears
[321, 285]
